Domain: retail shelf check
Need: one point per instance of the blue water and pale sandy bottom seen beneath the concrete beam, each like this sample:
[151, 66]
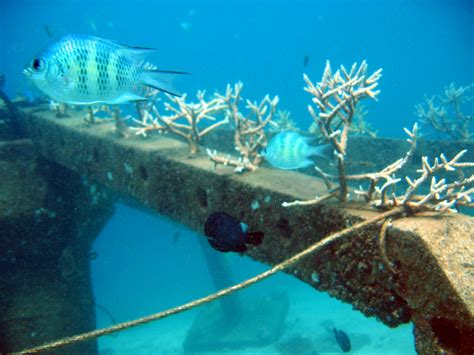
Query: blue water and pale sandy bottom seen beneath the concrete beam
[143, 267]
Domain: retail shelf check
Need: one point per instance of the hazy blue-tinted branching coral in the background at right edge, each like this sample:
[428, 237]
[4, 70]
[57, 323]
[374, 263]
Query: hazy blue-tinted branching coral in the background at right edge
[447, 117]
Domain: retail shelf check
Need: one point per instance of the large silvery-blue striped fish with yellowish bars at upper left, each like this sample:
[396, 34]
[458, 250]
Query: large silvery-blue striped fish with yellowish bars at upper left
[86, 70]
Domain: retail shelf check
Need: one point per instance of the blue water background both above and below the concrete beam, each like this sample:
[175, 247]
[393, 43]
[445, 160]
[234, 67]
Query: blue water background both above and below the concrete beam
[148, 263]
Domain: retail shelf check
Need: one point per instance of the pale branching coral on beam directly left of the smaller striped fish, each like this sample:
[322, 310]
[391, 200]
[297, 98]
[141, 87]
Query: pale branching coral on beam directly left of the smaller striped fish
[249, 130]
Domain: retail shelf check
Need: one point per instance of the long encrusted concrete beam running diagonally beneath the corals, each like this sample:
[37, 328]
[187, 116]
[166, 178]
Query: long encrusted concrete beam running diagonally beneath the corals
[432, 254]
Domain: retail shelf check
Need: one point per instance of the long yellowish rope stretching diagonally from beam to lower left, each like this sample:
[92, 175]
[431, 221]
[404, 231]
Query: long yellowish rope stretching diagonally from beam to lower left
[279, 267]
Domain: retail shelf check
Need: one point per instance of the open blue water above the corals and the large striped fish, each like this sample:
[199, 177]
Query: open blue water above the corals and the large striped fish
[422, 46]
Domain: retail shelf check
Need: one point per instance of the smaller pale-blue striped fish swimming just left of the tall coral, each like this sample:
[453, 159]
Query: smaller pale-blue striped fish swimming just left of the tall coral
[290, 150]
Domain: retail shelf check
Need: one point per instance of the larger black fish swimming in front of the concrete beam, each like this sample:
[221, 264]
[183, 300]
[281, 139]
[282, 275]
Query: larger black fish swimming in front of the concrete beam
[226, 233]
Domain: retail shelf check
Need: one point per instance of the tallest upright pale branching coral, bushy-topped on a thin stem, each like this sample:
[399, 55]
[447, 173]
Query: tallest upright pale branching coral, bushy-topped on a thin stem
[336, 97]
